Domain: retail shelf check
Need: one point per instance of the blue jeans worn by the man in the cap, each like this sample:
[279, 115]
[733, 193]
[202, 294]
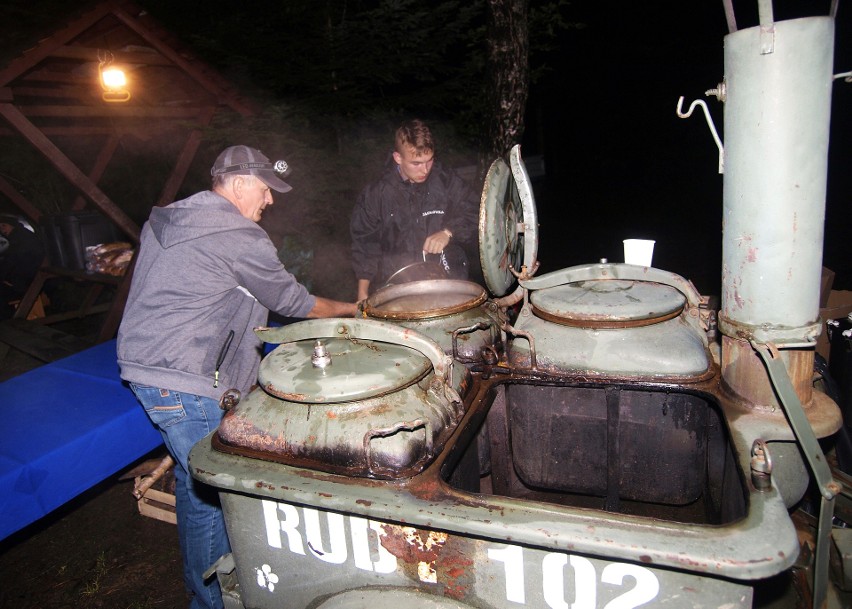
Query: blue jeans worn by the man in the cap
[184, 419]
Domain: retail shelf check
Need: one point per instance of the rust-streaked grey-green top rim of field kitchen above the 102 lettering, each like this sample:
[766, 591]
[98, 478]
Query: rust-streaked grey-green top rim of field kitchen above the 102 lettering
[743, 549]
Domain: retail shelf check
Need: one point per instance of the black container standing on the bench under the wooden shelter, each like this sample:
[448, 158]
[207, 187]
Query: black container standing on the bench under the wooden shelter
[67, 236]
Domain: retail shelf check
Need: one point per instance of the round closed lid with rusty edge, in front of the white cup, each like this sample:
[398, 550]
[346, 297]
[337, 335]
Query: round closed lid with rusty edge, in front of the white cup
[607, 303]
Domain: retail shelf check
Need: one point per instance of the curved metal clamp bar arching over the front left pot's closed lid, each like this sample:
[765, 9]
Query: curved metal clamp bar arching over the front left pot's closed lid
[354, 328]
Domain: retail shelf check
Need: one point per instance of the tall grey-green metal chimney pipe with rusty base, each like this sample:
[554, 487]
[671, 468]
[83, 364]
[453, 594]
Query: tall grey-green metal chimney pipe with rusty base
[777, 93]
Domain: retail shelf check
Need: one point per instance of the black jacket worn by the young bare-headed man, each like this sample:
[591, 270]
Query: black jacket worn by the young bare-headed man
[393, 217]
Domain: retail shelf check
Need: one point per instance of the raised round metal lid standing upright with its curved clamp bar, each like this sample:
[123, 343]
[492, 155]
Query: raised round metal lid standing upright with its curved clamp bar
[508, 229]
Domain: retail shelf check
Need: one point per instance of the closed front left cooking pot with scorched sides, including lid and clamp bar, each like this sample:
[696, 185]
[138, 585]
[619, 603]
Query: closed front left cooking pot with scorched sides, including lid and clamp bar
[356, 397]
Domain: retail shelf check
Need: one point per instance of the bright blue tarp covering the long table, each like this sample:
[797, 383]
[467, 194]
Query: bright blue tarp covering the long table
[65, 427]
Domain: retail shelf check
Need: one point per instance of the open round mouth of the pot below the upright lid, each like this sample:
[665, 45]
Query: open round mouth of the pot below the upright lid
[424, 299]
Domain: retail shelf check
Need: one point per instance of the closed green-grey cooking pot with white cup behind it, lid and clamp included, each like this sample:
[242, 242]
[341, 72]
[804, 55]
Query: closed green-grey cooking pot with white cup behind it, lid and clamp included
[613, 320]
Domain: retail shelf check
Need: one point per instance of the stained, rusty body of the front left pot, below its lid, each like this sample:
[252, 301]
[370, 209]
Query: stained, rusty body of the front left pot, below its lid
[388, 436]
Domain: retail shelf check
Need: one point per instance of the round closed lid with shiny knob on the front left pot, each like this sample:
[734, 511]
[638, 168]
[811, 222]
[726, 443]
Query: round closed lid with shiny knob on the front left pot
[339, 370]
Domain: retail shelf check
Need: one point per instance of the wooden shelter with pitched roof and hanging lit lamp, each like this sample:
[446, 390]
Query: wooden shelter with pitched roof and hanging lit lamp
[52, 100]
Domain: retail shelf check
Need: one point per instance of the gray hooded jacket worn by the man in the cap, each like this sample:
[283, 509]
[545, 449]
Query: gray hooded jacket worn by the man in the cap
[204, 278]
